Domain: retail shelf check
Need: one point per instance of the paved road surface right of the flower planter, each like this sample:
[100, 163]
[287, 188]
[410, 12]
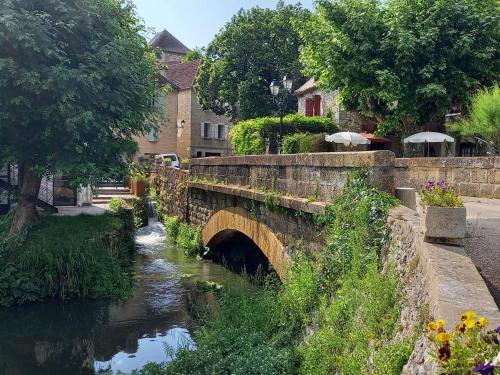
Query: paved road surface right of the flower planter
[483, 240]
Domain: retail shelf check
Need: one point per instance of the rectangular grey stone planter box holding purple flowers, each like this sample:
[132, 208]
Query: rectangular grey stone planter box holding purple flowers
[444, 224]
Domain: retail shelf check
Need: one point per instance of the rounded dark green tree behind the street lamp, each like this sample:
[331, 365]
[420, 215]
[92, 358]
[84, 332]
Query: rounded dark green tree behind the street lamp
[255, 47]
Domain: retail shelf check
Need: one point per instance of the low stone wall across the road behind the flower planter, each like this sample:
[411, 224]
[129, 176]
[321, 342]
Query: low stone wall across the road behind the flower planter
[474, 176]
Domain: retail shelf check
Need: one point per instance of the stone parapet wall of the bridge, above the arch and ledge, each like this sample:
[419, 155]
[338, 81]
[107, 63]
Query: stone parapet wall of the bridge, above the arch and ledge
[321, 175]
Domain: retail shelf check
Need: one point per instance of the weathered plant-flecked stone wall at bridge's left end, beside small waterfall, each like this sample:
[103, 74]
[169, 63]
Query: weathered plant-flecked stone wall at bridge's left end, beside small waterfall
[171, 187]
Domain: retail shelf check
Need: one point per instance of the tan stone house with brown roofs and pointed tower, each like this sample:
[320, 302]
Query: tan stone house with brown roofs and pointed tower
[185, 128]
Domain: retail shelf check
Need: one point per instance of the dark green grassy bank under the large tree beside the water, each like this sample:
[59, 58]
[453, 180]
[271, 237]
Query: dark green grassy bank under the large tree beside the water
[68, 257]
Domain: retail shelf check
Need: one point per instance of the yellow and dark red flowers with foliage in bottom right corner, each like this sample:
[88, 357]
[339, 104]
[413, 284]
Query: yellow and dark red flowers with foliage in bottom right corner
[469, 349]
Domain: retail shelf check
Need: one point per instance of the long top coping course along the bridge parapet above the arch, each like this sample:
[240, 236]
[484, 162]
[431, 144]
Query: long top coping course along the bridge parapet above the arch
[382, 158]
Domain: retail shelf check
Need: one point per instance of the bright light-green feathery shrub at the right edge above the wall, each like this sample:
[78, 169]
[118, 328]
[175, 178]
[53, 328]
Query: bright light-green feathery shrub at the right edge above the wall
[484, 118]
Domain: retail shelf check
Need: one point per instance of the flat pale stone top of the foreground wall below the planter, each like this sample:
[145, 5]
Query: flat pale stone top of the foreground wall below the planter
[453, 282]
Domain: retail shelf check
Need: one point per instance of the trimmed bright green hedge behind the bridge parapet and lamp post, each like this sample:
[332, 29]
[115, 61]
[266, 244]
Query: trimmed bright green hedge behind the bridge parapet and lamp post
[249, 137]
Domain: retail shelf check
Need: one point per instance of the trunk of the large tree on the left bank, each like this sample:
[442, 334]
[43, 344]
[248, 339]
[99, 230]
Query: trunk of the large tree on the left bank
[26, 211]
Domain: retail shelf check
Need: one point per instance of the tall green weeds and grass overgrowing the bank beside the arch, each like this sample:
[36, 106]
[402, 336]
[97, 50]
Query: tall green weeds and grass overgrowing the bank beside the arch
[335, 313]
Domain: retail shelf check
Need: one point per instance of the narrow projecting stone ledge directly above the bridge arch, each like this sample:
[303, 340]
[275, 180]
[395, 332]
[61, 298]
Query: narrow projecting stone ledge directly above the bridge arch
[286, 201]
